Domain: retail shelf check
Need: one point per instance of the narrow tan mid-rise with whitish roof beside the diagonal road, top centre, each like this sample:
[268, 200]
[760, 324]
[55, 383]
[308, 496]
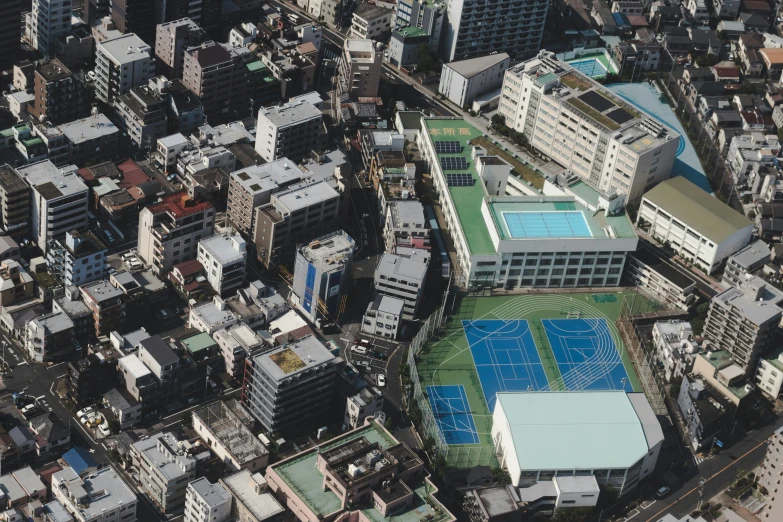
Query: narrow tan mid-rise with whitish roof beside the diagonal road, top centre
[360, 69]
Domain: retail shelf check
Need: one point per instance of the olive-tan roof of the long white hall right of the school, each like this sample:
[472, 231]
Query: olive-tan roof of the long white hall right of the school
[699, 210]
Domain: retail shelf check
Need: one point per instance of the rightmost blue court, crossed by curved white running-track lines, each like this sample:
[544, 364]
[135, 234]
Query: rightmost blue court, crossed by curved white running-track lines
[586, 354]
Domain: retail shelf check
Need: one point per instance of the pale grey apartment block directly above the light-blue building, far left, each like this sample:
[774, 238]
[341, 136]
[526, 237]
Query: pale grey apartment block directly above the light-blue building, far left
[59, 201]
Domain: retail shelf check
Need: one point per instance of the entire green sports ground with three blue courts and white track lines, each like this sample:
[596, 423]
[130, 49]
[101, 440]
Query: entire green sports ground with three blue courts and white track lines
[525, 342]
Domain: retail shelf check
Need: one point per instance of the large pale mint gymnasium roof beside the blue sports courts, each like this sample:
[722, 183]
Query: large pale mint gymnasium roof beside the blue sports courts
[574, 430]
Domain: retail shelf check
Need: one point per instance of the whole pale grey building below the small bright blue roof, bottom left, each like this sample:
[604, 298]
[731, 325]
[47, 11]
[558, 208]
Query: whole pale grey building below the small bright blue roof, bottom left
[98, 497]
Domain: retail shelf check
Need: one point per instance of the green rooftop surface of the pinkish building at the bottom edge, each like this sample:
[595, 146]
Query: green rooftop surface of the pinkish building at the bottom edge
[303, 477]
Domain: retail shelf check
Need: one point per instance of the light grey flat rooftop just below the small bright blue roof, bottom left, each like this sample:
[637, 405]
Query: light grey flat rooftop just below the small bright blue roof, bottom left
[106, 490]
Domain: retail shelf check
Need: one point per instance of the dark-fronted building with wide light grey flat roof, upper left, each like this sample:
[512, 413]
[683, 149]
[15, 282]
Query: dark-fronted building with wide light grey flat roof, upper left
[94, 138]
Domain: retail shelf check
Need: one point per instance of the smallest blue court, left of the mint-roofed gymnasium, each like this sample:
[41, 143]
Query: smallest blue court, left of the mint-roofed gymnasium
[452, 413]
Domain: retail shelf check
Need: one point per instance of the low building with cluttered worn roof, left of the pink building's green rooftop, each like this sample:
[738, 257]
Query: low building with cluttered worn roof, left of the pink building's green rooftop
[223, 425]
